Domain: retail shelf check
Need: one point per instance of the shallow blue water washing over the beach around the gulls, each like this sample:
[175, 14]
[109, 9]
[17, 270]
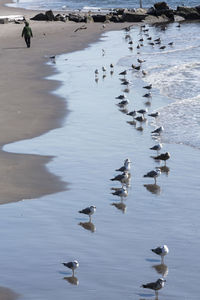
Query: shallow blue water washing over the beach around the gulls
[114, 251]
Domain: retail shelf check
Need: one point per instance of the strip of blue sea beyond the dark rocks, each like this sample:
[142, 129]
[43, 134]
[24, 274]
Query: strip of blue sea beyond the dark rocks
[80, 4]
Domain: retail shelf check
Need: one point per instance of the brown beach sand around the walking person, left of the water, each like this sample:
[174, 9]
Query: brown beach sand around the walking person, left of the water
[28, 109]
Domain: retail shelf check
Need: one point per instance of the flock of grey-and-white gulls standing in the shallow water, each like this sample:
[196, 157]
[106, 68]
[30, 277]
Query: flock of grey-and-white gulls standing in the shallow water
[125, 170]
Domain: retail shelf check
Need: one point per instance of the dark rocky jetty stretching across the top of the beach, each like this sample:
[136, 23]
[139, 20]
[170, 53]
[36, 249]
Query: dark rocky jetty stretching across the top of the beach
[158, 13]
